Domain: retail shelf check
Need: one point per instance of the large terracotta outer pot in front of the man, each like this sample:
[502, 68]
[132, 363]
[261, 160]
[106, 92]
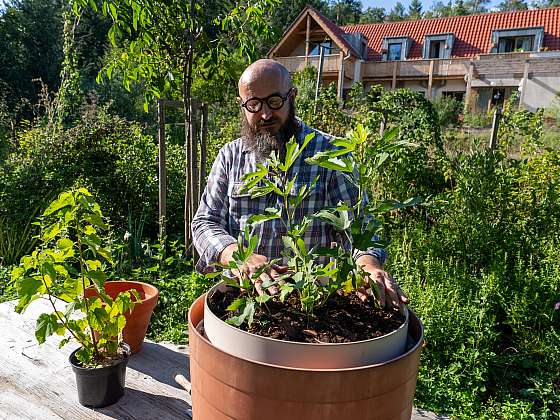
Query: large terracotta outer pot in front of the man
[225, 386]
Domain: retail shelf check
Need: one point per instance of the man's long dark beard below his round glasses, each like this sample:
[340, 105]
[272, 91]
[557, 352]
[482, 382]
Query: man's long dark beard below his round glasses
[263, 143]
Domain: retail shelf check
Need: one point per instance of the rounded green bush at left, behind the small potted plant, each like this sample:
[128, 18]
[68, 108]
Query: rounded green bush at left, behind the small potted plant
[107, 154]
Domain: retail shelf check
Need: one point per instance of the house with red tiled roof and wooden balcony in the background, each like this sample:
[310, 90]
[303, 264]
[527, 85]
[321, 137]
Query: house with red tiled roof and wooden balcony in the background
[480, 58]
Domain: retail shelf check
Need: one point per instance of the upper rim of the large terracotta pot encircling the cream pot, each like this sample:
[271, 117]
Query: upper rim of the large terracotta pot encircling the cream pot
[201, 300]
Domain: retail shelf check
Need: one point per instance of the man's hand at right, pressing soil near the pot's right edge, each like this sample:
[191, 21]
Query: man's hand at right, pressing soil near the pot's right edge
[390, 294]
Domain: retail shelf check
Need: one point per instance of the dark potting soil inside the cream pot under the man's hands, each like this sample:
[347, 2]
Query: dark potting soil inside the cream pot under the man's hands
[343, 319]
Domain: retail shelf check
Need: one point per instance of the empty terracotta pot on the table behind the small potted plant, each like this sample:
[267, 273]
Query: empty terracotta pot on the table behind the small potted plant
[137, 321]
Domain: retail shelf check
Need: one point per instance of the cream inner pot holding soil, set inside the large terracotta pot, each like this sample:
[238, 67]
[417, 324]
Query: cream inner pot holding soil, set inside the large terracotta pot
[304, 355]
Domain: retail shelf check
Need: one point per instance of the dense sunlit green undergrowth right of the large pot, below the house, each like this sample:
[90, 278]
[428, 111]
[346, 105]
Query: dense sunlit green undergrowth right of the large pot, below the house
[481, 265]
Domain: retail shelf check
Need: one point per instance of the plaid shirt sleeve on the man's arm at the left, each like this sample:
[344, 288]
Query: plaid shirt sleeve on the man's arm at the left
[209, 225]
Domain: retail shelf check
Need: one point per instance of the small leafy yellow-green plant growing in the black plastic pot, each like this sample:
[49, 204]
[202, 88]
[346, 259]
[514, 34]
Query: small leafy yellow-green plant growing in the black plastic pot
[70, 258]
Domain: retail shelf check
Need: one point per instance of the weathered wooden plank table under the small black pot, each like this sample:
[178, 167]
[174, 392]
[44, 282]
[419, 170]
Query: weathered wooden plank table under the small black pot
[37, 382]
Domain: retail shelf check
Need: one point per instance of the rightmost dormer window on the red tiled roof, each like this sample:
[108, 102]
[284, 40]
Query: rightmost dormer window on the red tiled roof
[517, 40]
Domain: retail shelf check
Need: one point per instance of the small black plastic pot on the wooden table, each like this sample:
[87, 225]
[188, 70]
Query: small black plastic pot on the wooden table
[99, 387]
